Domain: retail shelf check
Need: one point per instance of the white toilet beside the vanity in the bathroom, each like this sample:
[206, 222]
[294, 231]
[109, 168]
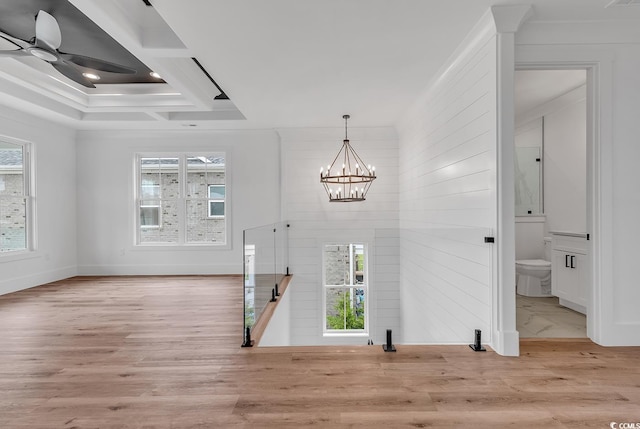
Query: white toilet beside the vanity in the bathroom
[534, 275]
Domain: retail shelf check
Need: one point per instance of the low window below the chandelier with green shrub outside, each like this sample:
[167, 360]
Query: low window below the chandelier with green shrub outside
[345, 288]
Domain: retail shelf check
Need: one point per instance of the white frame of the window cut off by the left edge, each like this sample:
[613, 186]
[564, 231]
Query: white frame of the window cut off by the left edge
[28, 194]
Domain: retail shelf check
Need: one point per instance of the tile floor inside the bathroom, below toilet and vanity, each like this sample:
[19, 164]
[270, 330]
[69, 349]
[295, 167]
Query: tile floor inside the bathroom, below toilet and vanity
[546, 318]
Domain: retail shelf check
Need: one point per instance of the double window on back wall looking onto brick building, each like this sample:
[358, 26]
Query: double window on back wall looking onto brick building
[181, 199]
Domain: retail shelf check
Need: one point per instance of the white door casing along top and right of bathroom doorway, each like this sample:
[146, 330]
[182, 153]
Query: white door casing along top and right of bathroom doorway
[599, 65]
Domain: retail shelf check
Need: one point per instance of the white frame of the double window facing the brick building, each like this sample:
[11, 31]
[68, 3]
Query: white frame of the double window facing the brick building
[181, 201]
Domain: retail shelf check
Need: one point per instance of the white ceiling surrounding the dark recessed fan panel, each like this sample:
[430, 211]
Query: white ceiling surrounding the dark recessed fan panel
[283, 63]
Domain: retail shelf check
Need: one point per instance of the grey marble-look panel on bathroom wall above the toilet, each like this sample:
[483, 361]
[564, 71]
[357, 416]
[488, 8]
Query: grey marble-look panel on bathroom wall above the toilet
[528, 183]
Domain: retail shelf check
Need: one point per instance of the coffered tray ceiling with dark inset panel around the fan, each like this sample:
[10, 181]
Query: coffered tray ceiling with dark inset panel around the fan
[128, 33]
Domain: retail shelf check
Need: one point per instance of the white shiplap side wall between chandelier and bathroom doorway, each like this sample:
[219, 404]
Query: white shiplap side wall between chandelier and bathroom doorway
[448, 200]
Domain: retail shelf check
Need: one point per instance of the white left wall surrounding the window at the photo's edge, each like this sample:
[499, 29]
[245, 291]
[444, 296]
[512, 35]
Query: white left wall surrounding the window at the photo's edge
[55, 174]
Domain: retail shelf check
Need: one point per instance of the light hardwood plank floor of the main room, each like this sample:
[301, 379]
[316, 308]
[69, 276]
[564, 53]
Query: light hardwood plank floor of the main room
[164, 352]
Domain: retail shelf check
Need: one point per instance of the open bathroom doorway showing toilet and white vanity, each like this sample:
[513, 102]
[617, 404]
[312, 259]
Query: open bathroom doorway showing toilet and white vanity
[551, 201]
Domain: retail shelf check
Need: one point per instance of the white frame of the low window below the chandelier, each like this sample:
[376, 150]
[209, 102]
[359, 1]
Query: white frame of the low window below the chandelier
[365, 285]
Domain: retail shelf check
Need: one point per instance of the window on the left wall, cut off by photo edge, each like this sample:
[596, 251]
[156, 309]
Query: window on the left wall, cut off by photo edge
[15, 197]
